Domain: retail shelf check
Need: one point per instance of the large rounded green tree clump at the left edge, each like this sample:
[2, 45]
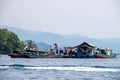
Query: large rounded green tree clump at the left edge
[9, 41]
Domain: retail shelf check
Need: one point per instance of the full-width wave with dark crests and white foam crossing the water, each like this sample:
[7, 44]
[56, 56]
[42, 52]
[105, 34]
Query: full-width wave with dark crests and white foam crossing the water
[64, 68]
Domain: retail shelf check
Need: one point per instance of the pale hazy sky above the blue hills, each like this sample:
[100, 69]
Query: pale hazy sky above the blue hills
[98, 19]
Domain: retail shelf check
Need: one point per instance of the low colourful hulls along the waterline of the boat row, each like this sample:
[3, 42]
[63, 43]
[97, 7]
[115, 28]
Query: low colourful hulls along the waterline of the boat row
[27, 55]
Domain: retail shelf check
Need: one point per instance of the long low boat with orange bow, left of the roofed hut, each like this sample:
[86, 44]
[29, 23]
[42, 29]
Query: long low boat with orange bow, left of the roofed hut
[33, 54]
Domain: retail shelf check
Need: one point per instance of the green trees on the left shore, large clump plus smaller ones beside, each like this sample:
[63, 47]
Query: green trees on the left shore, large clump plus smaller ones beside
[9, 42]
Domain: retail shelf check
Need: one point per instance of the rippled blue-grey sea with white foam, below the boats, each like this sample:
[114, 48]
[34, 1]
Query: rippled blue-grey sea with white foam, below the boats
[59, 69]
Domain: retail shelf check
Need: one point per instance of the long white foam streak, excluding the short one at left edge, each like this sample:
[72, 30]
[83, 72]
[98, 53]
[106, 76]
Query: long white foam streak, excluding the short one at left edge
[76, 69]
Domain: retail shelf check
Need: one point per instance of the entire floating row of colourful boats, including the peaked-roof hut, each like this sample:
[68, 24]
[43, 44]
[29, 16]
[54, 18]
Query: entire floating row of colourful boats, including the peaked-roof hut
[84, 50]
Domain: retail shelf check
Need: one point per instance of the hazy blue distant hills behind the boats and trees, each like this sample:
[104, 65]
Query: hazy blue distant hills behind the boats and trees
[44, 39]
